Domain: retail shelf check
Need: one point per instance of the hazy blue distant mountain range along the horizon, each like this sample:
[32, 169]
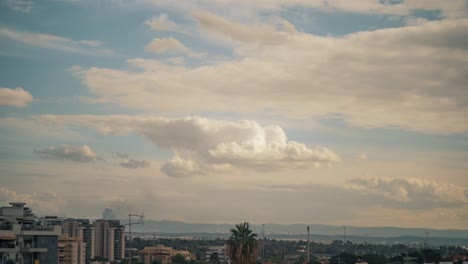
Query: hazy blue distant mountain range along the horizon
[299, 231]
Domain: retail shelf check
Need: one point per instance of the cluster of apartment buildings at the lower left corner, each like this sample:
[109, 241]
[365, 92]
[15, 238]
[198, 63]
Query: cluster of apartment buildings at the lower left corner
[28, 239]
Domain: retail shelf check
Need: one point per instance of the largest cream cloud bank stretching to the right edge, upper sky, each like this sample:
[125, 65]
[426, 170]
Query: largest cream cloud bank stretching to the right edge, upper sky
[411, 78]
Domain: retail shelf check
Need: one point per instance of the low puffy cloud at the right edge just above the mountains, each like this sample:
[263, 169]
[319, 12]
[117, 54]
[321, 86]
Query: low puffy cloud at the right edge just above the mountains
[415, 193]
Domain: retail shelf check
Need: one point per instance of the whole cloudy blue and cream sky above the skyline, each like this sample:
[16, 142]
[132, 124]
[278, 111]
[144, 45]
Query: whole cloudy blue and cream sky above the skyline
[338, 112]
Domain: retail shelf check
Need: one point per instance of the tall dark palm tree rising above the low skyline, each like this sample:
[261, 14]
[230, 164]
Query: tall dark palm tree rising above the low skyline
[242, 246]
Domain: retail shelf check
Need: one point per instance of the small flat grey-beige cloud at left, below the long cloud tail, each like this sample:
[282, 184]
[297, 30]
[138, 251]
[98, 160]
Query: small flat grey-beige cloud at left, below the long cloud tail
[68, 152]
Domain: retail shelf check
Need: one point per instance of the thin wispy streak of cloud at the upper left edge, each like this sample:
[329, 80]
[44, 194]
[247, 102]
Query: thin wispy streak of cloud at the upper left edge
[88, 47]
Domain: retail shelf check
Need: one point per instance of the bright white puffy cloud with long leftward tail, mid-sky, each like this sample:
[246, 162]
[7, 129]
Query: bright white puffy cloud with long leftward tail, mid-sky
[203, 145]
